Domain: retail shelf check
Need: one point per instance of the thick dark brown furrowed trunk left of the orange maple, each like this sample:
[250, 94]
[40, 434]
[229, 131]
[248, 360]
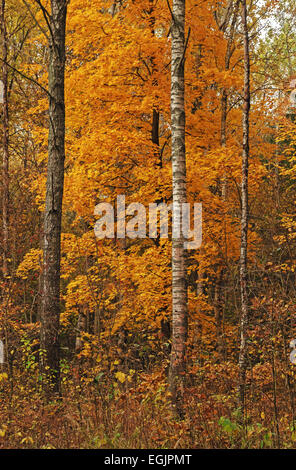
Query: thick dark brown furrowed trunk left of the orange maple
[54, 196]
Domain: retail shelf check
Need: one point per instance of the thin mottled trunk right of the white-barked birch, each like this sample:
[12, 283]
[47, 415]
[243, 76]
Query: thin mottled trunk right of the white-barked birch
[244, 215]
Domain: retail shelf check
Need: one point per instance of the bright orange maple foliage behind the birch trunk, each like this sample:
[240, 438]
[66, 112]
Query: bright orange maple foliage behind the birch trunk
[117, 73]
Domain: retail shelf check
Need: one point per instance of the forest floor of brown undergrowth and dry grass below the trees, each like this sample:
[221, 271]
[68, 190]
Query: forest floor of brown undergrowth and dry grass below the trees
[134, 412]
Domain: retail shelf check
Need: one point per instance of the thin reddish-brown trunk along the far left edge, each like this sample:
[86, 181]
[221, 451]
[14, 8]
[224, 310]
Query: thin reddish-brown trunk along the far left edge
[5, 162]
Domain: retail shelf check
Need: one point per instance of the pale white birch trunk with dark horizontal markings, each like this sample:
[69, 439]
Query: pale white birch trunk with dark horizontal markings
[179, 284]
